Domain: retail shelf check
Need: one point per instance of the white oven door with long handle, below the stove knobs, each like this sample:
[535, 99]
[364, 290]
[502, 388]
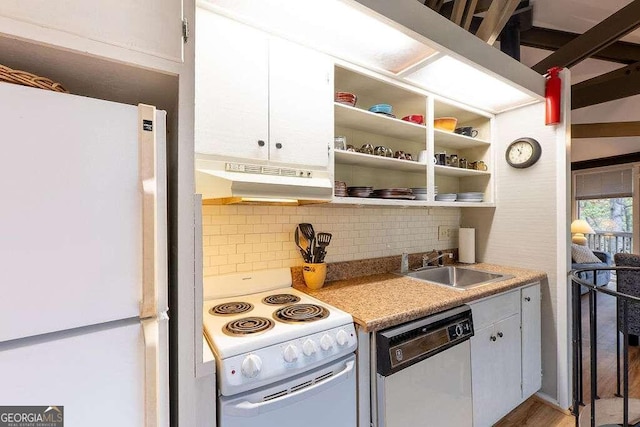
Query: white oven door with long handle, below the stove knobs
[320, 398]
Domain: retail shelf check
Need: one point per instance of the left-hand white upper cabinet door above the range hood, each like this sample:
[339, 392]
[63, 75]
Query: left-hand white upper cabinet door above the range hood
[232, 88]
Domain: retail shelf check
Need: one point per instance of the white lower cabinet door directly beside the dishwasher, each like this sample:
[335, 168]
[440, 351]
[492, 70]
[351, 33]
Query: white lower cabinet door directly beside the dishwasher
[495, 371]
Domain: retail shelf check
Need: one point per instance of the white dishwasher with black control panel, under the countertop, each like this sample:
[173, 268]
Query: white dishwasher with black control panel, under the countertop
[423, 373]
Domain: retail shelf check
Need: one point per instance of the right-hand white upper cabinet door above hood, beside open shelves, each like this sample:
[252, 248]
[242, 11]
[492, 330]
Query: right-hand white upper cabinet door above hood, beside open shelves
[300, 104]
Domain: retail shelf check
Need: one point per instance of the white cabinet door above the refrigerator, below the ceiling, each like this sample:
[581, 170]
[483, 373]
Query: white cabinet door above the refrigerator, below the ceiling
[153, 27]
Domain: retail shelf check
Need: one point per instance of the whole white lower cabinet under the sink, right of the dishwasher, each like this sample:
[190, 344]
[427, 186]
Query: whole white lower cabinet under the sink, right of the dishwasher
[505, 353]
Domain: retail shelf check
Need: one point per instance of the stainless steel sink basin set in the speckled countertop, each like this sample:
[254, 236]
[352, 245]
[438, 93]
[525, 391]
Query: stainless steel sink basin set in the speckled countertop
[457, 277]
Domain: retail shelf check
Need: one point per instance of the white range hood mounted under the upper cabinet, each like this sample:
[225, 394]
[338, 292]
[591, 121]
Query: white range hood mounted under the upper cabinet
[228, 182]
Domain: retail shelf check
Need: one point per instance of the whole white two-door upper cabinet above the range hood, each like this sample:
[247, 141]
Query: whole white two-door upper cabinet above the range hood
[259, 97]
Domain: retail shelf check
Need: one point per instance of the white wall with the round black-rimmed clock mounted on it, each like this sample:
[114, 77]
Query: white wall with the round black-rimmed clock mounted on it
[524, 230]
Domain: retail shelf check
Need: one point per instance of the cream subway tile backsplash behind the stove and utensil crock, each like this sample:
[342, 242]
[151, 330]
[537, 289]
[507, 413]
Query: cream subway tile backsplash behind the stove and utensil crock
[247, 238]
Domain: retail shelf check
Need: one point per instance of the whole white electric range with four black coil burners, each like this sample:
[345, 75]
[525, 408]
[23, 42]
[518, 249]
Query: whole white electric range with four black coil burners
[282, 356]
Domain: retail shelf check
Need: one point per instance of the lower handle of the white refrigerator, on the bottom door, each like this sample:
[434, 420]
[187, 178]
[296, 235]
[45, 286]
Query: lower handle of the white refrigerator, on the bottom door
[152, 390]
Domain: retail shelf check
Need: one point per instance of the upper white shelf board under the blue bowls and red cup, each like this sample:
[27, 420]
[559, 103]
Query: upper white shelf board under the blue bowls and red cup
[356, 118]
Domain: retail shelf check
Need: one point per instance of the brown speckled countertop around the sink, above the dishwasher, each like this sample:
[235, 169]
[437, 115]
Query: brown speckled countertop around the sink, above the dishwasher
[380, 301]
